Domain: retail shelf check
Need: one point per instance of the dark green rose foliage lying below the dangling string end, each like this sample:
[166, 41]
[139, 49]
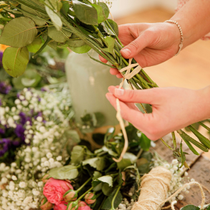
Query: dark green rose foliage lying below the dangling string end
[110, 181]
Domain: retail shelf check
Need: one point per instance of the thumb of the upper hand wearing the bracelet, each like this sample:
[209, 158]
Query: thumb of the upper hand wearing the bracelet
[135, 47]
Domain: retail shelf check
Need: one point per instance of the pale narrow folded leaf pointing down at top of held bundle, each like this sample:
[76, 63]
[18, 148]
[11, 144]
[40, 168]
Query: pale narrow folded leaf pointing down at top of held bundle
[53, 16]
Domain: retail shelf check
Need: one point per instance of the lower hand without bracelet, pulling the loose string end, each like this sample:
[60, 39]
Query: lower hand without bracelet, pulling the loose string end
[173, 108]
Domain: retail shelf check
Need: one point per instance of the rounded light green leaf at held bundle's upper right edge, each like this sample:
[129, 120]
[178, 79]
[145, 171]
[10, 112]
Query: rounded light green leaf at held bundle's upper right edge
[102, 11]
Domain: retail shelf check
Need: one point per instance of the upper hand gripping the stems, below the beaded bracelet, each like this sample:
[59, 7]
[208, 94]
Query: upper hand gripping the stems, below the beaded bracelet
[148, 43]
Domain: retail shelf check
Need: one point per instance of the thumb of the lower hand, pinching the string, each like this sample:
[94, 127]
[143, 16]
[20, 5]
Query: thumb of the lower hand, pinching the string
[136, 96]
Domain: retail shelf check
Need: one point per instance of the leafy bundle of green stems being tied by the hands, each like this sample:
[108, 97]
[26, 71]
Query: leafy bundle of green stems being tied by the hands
[80, 25]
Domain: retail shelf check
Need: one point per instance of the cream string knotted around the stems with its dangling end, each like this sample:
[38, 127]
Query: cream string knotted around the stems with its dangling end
[128, 75]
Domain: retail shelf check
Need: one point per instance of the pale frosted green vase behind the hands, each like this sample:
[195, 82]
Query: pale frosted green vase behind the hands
[88, 82]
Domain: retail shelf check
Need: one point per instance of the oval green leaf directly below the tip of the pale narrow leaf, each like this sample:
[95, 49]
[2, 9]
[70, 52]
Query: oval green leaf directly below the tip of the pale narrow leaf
[58, 36]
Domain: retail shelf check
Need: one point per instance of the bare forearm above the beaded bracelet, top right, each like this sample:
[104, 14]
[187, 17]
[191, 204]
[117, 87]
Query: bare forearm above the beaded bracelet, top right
[194, 18]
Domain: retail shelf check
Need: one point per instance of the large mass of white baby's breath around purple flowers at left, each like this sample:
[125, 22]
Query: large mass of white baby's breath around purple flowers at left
[21, 188]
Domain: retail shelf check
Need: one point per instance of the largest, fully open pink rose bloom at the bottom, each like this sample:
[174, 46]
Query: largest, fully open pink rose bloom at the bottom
[54, 190]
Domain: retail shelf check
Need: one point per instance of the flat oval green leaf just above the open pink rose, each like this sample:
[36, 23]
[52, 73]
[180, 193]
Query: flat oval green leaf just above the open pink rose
[64, 172]
